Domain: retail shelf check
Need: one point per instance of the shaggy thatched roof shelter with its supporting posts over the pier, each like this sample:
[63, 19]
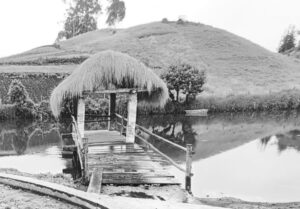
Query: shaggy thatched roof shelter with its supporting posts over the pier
[111, 72]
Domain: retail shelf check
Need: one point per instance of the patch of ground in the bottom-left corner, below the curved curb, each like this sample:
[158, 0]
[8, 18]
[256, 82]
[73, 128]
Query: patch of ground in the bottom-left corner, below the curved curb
[18, 199]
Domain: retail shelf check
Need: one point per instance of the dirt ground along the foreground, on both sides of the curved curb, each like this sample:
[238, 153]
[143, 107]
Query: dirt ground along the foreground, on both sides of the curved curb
[12, 198]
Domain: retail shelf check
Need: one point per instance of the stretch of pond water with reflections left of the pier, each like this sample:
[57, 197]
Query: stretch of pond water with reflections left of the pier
[31, 147]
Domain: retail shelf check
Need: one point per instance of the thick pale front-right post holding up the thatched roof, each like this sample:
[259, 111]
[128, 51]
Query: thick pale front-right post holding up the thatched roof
[131, 117]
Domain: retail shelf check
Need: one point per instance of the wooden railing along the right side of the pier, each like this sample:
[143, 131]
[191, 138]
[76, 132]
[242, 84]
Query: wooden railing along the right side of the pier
[188, 149]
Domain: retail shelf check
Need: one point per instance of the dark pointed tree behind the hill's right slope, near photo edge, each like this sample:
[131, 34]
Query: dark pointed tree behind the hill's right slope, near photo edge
[288, 40]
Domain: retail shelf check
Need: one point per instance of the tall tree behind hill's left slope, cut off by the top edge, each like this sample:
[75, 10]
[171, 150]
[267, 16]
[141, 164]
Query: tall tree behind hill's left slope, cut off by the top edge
[82, 16]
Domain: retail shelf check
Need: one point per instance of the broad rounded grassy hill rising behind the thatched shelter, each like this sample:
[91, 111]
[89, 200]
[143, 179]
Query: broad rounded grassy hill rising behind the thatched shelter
[234, 65]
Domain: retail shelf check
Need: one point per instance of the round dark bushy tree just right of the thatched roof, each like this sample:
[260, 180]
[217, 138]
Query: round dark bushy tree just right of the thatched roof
[184, 78]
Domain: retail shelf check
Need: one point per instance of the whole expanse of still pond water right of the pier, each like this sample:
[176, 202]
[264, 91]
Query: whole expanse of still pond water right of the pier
[254, 157]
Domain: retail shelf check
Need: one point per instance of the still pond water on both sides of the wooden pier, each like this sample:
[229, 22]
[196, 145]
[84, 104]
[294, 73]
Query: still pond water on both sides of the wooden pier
[252, 157]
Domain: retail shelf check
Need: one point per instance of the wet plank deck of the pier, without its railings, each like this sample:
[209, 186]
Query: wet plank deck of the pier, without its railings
[121, 163]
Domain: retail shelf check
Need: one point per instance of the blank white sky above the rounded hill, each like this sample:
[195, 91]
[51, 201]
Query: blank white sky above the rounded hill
[26, 24]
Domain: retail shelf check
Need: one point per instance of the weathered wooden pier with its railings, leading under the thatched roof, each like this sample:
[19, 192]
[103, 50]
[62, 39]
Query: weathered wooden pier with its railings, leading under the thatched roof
[106, 158]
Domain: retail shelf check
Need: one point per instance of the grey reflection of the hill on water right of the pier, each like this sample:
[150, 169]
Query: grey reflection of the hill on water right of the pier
[217, 133]
